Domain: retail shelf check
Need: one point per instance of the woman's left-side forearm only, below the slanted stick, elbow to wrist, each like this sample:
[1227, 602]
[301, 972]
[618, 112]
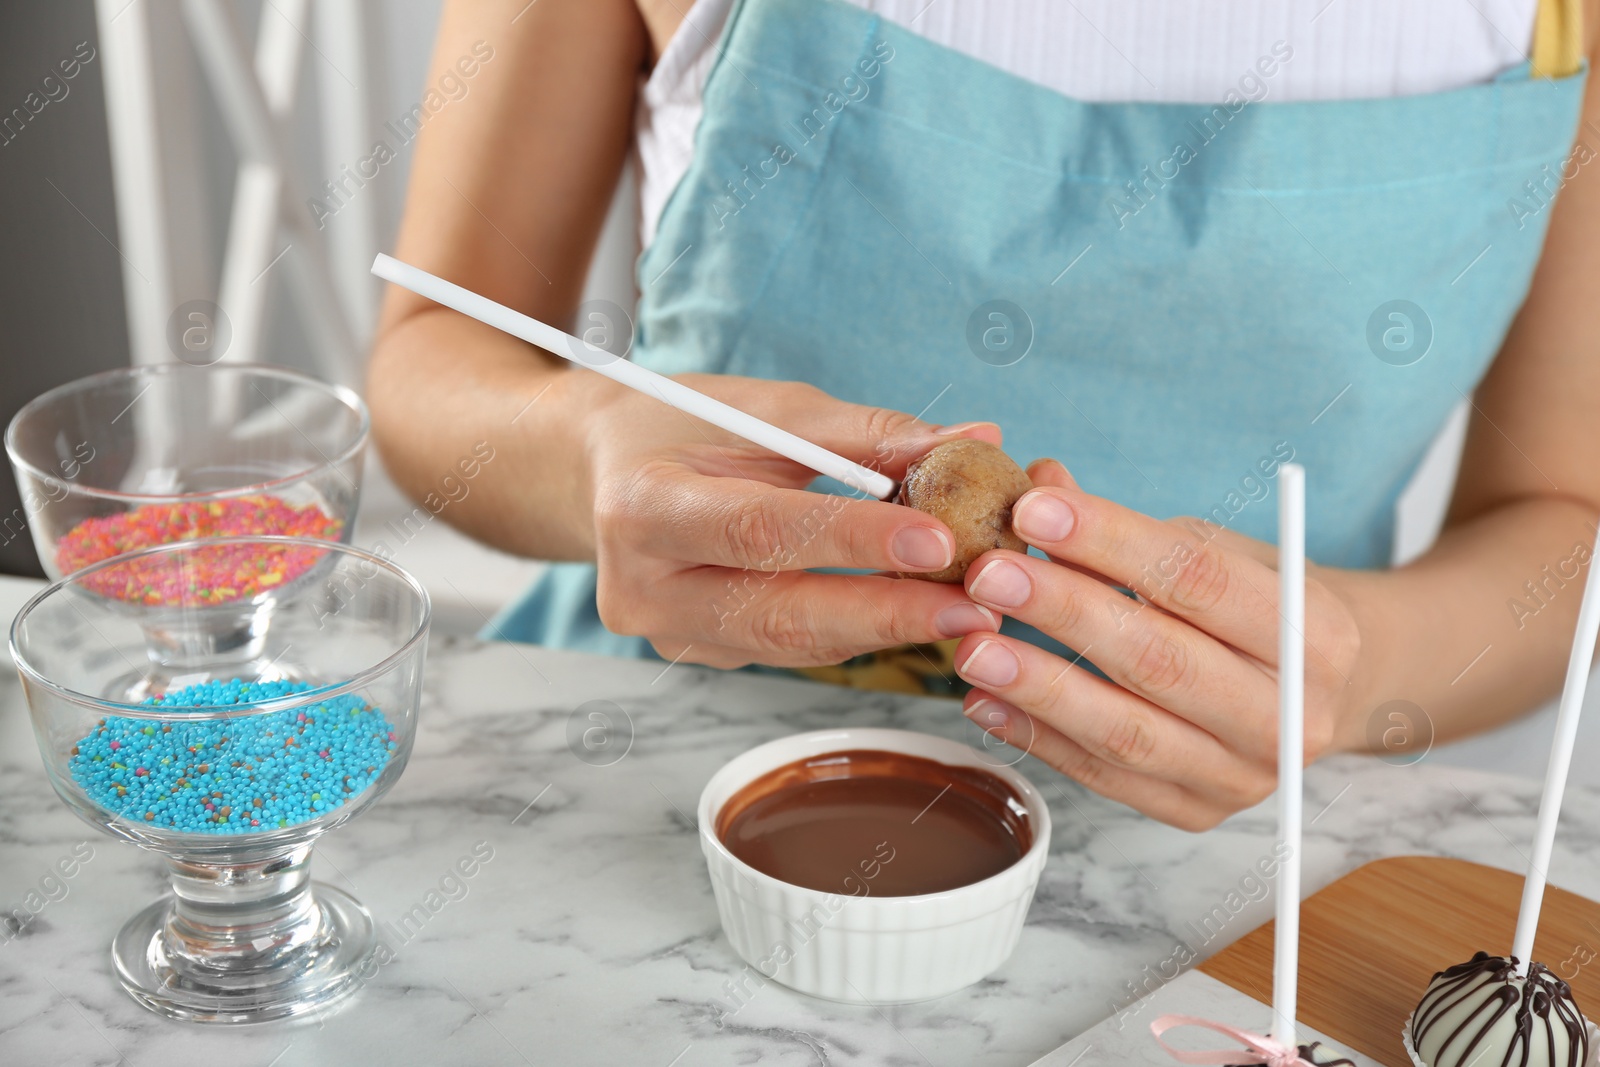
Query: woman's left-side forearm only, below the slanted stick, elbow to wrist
[446, 391]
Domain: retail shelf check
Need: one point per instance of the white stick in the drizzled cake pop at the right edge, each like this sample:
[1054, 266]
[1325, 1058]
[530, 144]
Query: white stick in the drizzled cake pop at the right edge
[1578, 666]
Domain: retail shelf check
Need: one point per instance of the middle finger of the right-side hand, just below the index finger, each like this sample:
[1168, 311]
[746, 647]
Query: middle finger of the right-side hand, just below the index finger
[1145, 650]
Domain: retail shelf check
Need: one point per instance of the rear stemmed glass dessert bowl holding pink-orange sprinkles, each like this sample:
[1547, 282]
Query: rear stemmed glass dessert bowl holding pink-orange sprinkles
[153, 455]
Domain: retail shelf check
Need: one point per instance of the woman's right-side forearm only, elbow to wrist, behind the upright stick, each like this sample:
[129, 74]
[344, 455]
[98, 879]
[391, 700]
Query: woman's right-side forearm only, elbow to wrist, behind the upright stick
[1478, 629]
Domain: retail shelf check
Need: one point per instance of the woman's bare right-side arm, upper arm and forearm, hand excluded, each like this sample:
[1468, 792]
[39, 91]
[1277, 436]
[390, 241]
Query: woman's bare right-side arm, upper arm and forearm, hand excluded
[1479, 629]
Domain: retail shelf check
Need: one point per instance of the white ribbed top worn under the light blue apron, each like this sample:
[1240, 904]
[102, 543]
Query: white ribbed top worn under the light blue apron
[1135, 50]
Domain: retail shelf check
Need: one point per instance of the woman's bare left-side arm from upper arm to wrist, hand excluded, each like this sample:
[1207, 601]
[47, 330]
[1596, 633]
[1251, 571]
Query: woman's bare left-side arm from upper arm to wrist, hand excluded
[510, 190]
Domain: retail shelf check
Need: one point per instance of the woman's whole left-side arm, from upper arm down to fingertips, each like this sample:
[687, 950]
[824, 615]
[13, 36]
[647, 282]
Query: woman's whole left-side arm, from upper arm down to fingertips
[702, 540]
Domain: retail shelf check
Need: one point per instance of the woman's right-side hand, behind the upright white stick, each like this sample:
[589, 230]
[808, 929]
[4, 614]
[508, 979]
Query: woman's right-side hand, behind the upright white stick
[1186, 729]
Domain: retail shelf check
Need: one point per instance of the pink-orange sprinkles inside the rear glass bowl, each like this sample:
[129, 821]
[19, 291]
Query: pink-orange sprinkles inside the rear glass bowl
[210, 573]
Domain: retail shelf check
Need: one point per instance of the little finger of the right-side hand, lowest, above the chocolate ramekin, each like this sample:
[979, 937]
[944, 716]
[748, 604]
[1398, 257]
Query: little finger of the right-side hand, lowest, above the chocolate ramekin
[1142, 793]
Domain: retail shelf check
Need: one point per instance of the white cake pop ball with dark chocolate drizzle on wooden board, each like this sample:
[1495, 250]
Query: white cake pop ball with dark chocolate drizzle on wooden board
[1481, 1013]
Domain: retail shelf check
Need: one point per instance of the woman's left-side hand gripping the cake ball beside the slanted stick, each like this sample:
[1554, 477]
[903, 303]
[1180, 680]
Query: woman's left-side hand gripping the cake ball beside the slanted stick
[703, 540]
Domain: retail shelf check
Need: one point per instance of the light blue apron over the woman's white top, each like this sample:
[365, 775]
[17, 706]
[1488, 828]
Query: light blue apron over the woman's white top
[1172, 300]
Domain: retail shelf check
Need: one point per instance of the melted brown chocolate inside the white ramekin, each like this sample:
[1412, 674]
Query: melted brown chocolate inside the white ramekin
[871, 823]
